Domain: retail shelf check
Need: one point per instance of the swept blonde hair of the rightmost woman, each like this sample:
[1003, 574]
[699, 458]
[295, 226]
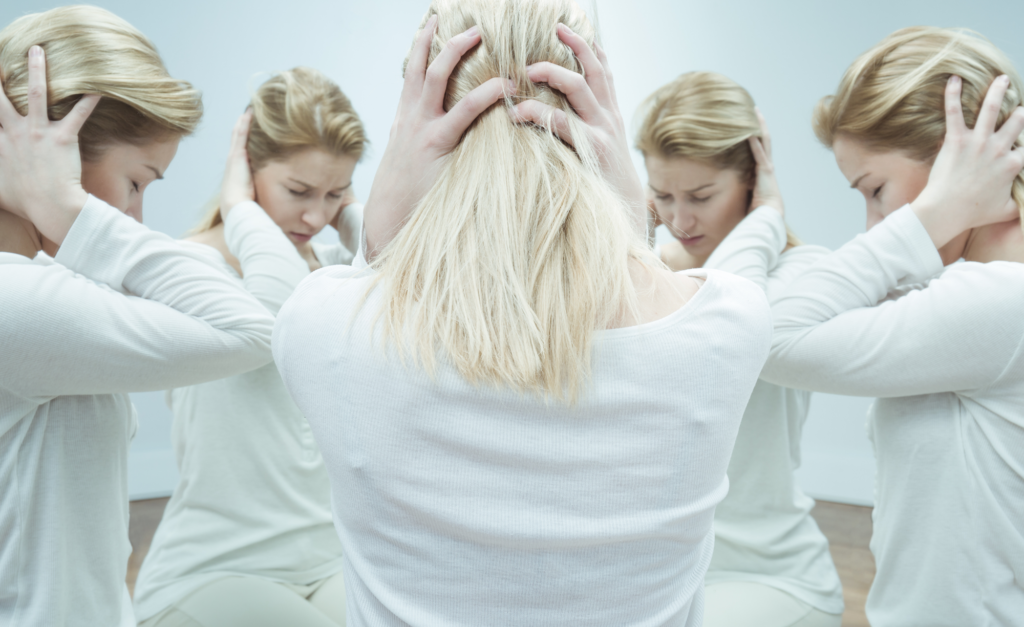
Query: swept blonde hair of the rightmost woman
[893, 97]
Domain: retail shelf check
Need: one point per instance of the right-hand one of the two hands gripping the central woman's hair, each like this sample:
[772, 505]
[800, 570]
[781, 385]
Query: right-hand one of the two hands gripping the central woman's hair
[593, 99]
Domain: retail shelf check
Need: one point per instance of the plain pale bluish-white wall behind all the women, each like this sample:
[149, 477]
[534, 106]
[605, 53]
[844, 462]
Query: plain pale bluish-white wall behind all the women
[788, 55]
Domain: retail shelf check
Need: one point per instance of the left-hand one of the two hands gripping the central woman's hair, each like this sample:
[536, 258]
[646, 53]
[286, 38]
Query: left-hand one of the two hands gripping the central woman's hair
[423, 134]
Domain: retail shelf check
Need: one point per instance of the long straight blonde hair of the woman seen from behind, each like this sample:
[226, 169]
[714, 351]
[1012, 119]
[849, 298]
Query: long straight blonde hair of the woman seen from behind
[521, 250]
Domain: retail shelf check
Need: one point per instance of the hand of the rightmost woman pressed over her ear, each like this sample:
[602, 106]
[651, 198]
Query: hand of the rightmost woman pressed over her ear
[970, 184]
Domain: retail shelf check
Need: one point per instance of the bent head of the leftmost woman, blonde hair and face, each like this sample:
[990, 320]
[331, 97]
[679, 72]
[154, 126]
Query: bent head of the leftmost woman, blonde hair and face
[133, 136]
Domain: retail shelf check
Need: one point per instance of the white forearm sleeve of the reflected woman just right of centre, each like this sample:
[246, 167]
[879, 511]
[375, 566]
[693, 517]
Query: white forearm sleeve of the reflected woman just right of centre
[753, 248]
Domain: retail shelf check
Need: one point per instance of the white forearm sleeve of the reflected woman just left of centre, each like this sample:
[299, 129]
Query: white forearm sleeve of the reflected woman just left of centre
[272, 267]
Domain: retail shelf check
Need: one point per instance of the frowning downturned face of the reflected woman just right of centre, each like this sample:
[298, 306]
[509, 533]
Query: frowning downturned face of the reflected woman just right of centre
[700, 204]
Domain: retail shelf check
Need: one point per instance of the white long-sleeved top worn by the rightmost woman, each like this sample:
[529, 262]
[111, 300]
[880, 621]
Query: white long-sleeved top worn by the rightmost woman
[947, 360]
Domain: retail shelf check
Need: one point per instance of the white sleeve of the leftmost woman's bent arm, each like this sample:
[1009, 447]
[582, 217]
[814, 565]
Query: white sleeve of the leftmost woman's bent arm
[123, 310]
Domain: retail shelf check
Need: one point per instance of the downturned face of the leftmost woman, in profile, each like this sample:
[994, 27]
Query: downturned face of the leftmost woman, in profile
[122, 174]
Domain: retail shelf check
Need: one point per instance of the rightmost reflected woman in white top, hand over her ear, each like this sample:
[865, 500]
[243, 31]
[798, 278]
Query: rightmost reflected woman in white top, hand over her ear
[891, 315]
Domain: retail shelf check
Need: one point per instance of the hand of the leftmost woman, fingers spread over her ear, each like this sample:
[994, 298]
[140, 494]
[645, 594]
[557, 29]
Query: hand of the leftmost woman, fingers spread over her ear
[40, 163]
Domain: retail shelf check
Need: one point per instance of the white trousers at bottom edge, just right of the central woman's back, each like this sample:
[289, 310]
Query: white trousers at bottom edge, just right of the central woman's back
[753, 605]
